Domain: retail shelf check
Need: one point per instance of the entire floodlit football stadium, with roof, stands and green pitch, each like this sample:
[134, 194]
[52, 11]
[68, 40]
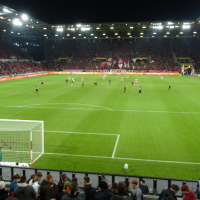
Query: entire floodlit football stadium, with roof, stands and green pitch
[109, 101]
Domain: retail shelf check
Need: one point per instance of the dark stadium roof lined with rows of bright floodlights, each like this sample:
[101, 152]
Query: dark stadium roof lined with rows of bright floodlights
[17, 24]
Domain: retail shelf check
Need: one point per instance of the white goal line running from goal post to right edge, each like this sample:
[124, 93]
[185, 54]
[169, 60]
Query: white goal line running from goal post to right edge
[118, 158]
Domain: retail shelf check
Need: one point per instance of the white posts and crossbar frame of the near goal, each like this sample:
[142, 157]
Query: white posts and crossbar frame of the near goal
[31, 142]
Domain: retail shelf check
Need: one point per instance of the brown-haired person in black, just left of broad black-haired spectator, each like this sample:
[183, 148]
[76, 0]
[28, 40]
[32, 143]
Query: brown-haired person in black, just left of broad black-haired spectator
[89, 190]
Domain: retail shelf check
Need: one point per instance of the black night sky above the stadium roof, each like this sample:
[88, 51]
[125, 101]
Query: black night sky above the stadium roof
[77, 11]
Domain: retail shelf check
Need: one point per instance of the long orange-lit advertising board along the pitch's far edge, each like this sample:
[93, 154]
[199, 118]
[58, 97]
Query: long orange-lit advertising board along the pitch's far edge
[95, 73]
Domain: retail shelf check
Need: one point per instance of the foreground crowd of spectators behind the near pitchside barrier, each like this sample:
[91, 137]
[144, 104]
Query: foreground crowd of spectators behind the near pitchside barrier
[67, 189]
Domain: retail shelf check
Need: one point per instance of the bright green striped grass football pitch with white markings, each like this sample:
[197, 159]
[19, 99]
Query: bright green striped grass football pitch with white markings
[99, 128]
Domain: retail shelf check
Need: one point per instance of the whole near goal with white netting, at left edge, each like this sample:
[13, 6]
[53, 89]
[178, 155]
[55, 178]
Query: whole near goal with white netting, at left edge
[22, 141]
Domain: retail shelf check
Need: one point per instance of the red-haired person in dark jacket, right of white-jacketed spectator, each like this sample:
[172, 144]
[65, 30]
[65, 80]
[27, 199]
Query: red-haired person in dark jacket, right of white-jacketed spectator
[45, 188]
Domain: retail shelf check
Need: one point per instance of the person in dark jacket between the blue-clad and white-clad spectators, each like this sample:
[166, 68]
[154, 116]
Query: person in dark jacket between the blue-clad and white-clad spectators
[24, 191]
